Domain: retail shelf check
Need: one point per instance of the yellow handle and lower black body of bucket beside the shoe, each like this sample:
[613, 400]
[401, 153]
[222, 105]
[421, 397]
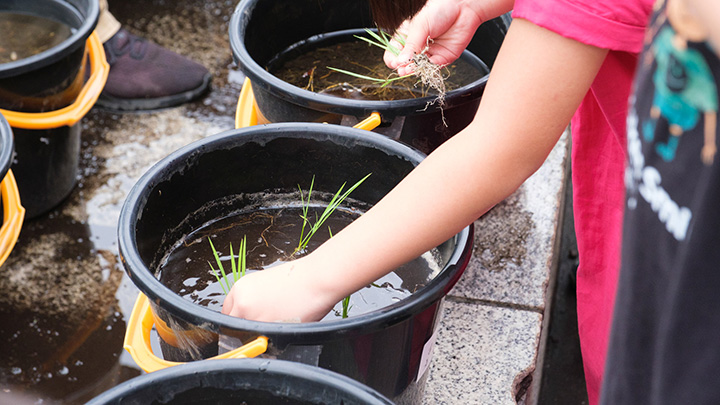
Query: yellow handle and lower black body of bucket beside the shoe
[47, 144]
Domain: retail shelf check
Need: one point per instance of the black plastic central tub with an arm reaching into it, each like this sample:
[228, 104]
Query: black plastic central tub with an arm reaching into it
[388, 349]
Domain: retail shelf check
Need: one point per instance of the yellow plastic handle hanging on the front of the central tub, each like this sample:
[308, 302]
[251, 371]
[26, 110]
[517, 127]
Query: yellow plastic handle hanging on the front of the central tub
[137, 340]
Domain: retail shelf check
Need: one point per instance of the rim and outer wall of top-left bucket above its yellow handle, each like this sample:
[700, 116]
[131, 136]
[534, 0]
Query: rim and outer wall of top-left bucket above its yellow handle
[51, 79]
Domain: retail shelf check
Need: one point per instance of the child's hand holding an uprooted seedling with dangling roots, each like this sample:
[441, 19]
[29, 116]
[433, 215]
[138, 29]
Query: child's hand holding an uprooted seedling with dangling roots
[450, 24]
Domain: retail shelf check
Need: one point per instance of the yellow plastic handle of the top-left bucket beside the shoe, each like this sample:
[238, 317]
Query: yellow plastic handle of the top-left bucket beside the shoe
[73, 113]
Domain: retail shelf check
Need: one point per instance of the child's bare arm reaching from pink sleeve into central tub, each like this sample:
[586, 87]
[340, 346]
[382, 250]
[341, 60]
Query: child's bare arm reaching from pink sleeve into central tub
[536, 84]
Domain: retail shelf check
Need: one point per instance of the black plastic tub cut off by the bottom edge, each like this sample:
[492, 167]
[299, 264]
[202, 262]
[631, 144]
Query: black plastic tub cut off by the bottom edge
[246, 381]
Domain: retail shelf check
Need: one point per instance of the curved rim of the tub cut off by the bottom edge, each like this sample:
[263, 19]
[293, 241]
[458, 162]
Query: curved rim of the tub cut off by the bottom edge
[207, 372]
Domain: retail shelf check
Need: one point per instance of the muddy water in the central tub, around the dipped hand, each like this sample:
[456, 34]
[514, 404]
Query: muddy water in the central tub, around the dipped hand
[272, 237]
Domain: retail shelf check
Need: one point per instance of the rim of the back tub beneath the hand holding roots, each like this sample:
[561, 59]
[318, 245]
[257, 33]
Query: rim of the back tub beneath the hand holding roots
[261, 78]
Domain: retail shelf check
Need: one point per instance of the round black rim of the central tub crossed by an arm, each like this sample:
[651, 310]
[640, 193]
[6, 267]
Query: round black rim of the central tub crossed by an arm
[158, 294]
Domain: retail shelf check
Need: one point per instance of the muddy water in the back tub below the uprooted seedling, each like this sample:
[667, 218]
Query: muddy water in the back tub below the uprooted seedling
[306, 66]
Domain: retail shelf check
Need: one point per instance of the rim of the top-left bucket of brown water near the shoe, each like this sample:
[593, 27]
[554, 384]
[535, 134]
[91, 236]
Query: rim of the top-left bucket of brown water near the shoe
[49, 56]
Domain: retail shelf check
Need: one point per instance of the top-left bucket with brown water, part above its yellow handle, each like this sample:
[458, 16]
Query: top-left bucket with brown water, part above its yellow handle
[43, 52]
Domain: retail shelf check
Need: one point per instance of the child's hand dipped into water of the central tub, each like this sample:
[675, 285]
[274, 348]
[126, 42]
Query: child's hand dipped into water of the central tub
[282, 293]
